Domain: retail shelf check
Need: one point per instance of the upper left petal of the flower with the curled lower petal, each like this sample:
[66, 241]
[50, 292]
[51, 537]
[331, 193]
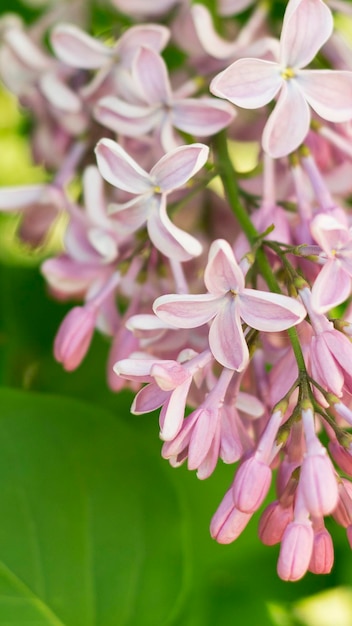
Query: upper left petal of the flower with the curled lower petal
[119, 169]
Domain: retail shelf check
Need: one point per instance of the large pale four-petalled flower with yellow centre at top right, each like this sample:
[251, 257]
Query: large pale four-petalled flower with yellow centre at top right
[252, 83]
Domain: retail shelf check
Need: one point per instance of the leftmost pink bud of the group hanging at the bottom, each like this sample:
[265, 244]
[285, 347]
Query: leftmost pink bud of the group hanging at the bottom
[228, 522]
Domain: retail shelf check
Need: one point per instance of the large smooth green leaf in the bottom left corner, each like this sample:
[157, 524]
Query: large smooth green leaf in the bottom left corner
[91, 529]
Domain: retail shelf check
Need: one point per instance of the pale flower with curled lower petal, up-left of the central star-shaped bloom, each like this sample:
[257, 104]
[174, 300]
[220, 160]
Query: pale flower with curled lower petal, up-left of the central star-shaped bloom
[148, 207]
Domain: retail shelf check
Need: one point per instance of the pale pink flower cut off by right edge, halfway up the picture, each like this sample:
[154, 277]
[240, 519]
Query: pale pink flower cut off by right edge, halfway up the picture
[333, 284]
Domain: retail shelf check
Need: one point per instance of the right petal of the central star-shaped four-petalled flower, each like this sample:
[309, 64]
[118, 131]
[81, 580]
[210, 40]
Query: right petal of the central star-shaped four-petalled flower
[269, 311]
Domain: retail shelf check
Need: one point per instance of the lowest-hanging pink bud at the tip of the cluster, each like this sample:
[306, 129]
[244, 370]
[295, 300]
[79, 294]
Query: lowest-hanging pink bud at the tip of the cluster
[296, 550]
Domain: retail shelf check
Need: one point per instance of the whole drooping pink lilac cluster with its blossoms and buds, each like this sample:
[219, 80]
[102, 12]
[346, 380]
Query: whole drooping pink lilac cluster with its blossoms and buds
[234, 304]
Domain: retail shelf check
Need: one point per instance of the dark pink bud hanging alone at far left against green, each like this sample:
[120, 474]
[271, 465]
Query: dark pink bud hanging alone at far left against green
[74, 336]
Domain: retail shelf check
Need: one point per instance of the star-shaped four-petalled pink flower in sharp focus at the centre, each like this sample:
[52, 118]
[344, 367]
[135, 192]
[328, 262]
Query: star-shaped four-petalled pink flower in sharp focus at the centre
[227, 303]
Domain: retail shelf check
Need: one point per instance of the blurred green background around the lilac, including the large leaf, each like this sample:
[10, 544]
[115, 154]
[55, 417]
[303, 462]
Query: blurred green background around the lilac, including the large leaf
[95, 528]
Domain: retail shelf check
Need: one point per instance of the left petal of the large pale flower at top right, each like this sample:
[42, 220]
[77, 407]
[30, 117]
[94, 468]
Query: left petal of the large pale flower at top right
[249, 83]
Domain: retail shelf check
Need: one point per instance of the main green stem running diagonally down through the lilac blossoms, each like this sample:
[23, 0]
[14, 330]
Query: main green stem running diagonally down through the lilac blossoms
[229, 182]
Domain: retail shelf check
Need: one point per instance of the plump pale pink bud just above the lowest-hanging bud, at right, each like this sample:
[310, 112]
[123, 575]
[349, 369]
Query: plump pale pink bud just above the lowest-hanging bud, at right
[319, 484]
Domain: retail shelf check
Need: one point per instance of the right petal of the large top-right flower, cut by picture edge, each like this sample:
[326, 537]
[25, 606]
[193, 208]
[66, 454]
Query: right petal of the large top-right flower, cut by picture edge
[329, 93]
